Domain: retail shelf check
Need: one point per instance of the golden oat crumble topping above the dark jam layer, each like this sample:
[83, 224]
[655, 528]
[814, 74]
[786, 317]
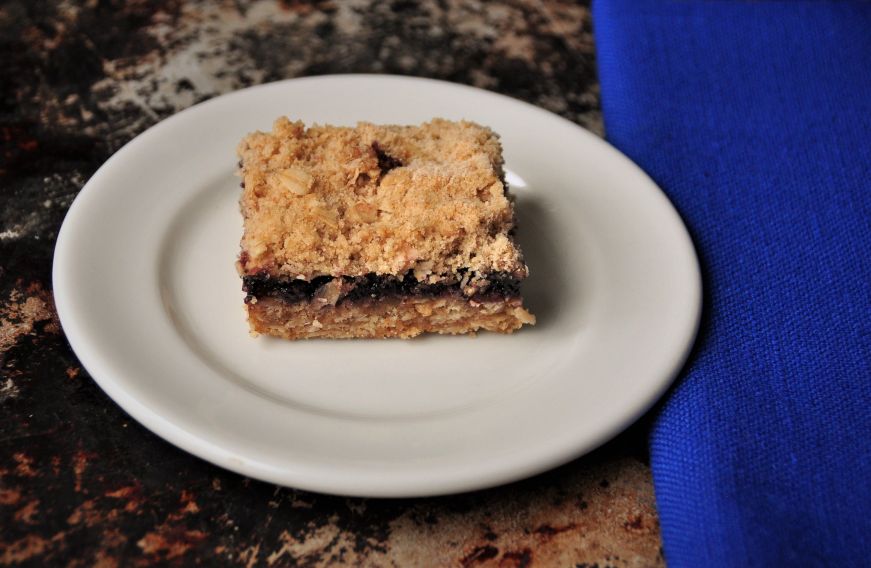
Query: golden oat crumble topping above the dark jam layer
[345, 201]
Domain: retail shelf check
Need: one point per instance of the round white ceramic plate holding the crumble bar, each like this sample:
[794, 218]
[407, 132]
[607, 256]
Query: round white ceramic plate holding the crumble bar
[148, 296]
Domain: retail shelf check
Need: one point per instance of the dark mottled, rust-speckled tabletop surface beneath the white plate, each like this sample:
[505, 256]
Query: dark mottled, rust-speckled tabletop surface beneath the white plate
[83, 485]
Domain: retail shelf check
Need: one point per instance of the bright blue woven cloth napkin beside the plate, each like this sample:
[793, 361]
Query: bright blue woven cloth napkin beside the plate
[755, 118]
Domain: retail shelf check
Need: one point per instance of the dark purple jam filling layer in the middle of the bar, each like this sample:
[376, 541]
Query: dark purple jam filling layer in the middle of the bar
[497, 286]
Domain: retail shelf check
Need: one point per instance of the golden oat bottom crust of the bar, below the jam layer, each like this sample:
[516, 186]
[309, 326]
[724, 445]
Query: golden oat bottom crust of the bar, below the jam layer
[396, 317]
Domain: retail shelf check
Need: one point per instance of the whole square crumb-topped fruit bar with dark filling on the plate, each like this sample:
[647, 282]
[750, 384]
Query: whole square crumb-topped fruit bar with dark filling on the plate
[378, 231]
